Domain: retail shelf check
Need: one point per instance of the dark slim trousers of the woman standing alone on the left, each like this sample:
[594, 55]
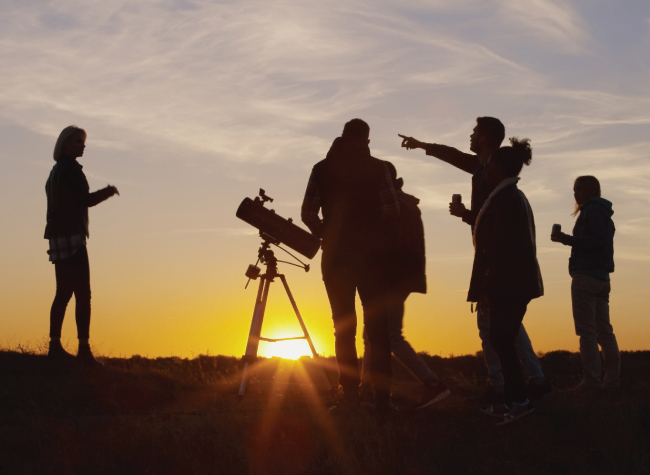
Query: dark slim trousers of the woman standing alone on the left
[72, 277]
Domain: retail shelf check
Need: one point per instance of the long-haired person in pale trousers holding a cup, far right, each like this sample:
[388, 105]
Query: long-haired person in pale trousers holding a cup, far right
[591, 262]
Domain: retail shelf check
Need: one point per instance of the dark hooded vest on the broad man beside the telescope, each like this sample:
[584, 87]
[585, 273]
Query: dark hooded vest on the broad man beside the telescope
[349, 180]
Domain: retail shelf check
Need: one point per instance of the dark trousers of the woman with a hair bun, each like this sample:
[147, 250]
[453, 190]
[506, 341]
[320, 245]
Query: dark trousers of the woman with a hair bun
[506, 314]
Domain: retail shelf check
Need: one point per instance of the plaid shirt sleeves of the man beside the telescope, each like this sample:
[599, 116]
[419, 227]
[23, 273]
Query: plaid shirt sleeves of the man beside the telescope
[311, 204]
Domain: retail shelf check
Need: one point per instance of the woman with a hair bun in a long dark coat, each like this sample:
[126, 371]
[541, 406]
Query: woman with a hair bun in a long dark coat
[506, 274]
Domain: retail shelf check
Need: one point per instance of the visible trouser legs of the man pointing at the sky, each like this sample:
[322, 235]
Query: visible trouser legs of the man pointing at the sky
[523, 346]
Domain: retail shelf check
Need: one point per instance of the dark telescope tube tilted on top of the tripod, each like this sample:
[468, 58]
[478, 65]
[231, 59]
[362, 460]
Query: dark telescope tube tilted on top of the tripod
[278, 229]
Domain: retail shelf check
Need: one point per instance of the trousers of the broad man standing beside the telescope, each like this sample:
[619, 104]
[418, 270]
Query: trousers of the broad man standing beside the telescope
[341, 285]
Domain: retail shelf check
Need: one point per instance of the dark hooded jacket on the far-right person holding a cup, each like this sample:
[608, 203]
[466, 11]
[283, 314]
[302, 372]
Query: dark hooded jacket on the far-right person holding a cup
[592, 243]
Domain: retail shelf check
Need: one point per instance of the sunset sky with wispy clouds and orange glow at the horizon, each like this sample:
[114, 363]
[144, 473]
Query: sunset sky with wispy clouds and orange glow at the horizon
[191, 106]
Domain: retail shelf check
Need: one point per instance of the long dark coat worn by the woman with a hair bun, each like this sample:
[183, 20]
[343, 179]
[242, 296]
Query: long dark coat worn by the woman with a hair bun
[505, 260]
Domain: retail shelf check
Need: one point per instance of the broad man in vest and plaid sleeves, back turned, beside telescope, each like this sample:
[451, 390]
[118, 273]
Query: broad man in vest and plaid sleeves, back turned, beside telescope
[358, 202]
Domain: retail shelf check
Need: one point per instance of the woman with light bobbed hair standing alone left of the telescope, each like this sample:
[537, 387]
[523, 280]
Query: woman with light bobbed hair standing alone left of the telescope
[68, 200]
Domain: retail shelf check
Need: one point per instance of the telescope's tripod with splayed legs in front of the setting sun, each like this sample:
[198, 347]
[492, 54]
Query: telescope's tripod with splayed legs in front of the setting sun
[267, 257]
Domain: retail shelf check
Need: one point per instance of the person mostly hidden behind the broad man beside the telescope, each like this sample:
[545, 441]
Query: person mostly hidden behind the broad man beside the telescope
[409, 275]
